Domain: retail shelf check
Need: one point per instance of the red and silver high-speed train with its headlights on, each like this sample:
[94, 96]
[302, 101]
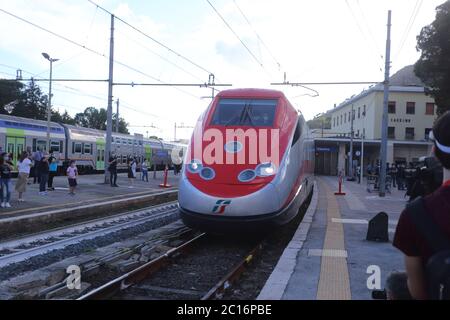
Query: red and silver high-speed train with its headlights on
[249, 165]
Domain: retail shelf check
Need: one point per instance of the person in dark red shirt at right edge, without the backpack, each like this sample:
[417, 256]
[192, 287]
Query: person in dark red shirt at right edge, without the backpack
[407, 238]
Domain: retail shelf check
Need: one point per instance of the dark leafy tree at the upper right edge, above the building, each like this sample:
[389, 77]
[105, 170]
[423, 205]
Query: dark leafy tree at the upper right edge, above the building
[433, 67]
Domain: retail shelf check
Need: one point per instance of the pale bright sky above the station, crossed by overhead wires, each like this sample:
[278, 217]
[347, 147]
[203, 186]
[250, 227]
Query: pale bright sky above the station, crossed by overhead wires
[261, 41]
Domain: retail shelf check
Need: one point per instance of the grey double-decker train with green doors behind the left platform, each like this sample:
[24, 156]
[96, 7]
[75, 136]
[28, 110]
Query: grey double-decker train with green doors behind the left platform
[84, 145]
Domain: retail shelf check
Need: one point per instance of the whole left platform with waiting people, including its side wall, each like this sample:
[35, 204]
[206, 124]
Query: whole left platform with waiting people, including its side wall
[92, 198]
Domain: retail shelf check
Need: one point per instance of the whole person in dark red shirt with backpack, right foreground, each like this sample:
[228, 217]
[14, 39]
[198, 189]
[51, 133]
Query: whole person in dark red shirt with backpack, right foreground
[423, 231]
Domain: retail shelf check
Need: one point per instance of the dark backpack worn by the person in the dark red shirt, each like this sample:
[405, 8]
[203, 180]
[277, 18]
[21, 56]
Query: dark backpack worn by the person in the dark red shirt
[438, 266]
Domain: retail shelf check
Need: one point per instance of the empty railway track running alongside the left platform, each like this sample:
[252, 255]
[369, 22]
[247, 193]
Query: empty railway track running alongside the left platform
[18, 250]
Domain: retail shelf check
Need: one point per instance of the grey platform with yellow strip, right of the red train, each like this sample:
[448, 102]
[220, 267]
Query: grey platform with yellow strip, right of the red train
[329, 257]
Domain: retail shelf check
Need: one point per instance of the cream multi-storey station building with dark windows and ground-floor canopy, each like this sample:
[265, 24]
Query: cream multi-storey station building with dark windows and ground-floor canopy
[411, 115]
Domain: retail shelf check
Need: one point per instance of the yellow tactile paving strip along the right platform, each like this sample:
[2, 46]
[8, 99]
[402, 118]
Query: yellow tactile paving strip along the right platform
[334, 282]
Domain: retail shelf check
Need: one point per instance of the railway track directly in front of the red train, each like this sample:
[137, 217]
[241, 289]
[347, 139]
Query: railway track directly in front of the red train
[203, 268]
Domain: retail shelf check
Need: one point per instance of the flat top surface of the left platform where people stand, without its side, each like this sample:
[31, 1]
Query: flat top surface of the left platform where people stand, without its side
[90, 189]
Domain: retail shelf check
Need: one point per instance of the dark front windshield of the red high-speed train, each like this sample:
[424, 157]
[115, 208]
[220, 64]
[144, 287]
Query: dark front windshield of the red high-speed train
[245, 112]
